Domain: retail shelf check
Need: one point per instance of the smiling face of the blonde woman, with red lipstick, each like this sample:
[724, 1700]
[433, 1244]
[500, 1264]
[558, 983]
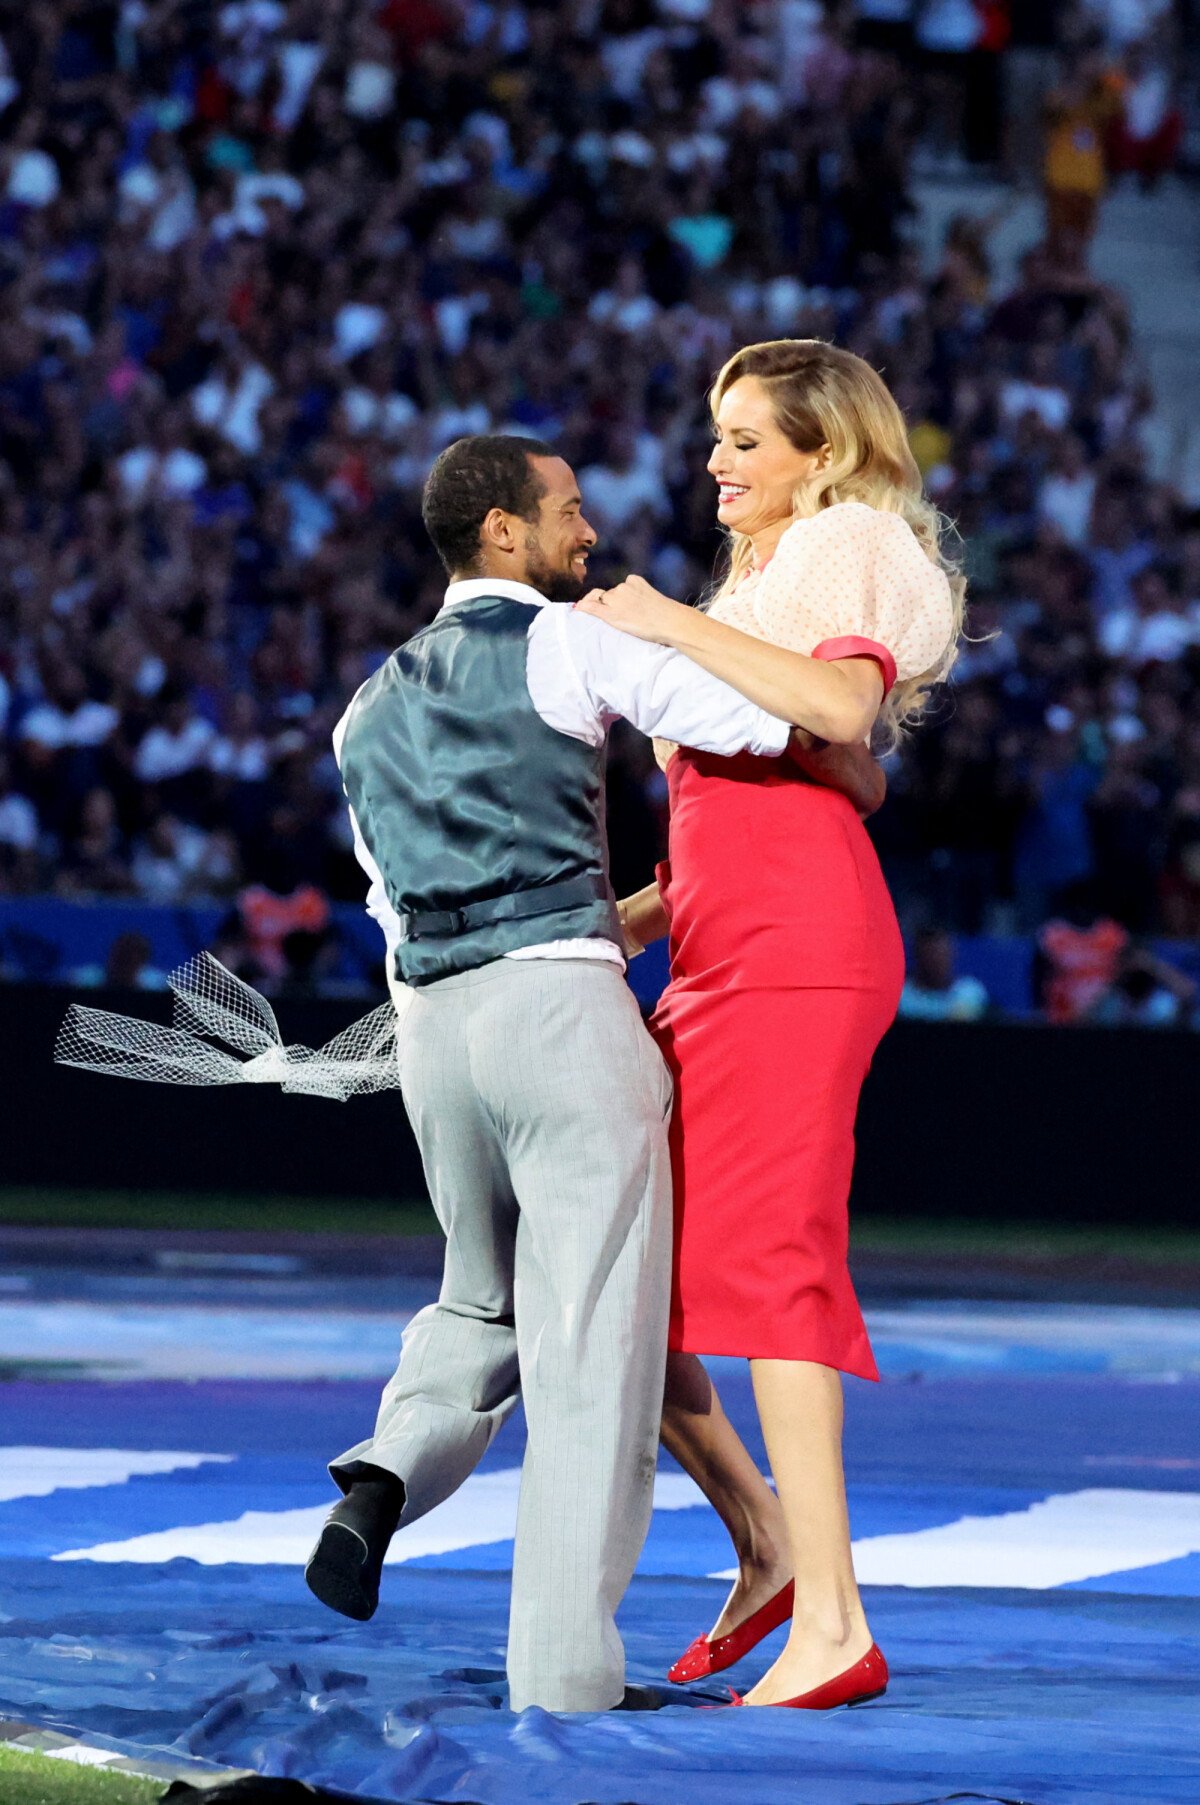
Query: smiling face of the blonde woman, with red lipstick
[757, 467]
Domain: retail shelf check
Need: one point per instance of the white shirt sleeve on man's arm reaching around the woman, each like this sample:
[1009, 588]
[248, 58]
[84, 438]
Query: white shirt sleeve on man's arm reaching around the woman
[586, 674]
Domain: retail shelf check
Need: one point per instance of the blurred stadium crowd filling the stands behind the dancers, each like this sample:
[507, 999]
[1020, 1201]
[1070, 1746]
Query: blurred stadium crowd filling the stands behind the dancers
[261, 263]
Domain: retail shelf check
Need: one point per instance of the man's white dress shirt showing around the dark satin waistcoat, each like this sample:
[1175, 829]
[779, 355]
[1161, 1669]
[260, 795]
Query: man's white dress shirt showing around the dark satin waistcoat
[584, 676]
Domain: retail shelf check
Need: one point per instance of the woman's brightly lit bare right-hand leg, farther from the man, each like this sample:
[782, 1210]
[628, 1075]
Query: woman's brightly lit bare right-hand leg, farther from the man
[800, 1407]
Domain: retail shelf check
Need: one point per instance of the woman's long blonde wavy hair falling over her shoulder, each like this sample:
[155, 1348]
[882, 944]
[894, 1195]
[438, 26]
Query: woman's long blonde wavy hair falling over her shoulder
[826, 396]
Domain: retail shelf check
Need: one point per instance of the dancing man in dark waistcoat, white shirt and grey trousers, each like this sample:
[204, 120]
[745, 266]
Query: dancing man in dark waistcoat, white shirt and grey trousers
[474, 764]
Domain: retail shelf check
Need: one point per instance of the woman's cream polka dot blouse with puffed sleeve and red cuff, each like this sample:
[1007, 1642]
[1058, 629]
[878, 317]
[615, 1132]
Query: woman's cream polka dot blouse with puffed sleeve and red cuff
[849, 582]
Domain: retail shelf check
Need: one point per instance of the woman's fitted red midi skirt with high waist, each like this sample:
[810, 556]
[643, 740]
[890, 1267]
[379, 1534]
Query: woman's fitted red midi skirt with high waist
[786, 976]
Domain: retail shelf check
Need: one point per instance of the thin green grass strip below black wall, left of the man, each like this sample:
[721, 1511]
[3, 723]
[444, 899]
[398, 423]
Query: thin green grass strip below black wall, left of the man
[196, 1210]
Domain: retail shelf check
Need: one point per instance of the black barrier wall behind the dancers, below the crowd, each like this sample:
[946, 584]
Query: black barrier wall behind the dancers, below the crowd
[997, 1122]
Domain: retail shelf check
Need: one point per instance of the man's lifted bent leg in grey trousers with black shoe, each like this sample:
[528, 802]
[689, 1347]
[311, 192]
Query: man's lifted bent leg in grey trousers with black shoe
[457, 1378]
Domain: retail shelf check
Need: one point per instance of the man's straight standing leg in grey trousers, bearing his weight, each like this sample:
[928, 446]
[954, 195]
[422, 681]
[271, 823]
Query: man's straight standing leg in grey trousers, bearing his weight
[584, 1097]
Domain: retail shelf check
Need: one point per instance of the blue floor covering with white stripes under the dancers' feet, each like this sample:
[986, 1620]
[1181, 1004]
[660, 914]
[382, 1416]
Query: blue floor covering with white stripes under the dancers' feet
[1076, 1692]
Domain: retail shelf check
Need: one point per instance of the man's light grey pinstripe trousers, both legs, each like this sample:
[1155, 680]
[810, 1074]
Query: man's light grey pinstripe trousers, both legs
[540, 1107]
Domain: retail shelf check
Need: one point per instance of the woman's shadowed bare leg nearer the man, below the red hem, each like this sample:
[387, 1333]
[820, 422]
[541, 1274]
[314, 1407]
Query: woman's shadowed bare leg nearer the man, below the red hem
[699, 1434]
